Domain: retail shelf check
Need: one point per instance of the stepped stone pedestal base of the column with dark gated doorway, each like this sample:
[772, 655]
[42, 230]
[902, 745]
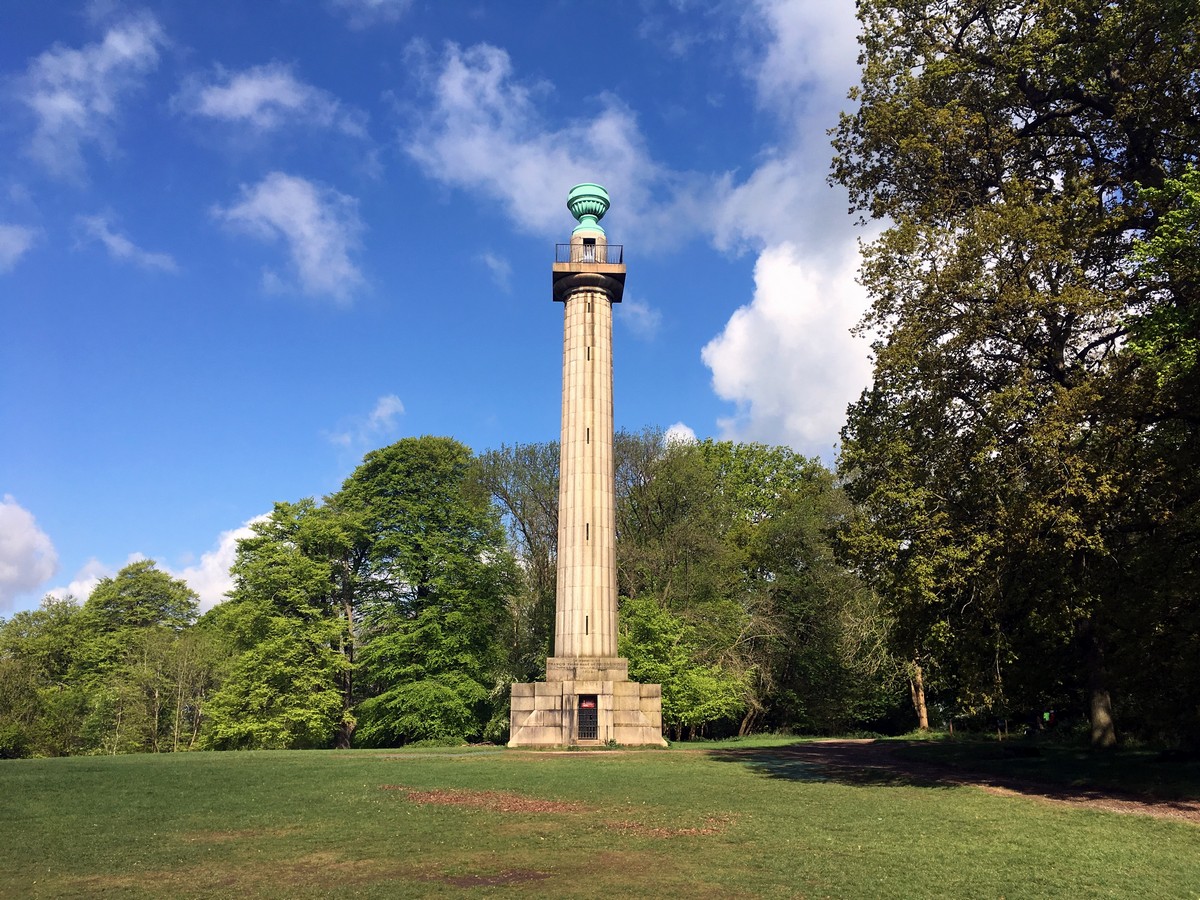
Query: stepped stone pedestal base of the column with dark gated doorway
[548, 713]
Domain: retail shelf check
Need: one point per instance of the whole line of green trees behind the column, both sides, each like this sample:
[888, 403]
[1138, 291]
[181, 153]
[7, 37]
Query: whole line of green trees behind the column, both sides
[401, 608]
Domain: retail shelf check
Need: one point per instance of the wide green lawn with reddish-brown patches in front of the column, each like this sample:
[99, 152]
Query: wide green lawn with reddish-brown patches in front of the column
[685, 823]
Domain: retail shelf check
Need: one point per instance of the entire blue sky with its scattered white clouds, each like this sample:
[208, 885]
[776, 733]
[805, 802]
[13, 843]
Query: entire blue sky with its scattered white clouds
[243, 244]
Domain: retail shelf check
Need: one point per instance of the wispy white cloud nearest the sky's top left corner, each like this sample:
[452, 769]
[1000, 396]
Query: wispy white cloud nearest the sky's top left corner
[76, 94]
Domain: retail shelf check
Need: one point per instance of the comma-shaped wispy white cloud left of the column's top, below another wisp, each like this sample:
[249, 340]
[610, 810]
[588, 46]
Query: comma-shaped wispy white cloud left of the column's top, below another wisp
[320, 226]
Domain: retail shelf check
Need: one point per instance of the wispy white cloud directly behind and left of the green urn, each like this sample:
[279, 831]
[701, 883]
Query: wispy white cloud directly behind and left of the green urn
[484, 133]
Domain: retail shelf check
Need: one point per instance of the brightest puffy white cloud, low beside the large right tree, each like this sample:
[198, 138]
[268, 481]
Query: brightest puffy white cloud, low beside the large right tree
[788, 361]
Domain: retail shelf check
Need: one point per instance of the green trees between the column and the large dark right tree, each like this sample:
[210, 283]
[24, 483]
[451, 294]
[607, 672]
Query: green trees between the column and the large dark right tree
[735, 542]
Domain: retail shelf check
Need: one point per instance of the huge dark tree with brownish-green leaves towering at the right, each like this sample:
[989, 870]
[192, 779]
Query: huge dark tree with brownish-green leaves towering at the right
[1004, 452]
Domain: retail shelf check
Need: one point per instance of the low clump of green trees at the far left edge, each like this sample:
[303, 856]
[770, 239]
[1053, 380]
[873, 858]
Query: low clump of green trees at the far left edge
[122, 674]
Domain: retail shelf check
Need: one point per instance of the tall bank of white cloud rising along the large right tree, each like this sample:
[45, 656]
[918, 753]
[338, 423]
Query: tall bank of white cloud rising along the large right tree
[787, 359]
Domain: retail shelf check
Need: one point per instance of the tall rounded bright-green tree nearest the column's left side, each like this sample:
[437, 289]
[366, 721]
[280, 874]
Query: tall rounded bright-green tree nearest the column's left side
[435, 589]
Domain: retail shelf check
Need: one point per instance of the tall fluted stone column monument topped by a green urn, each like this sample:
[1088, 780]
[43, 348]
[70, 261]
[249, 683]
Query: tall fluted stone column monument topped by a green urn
[587, 697]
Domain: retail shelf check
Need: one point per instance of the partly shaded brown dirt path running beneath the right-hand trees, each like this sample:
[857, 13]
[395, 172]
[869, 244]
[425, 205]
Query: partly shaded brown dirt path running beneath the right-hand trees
[877, 763]
